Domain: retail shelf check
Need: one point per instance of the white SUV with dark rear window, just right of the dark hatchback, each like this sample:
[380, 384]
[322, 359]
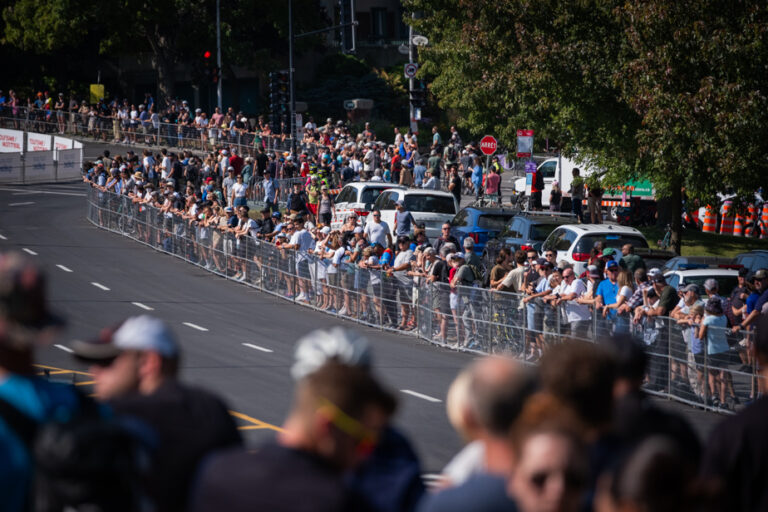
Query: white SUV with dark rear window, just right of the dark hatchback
[573, 242]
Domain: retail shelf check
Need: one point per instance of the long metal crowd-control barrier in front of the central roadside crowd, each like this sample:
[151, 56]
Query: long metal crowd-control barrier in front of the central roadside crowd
[470, 319]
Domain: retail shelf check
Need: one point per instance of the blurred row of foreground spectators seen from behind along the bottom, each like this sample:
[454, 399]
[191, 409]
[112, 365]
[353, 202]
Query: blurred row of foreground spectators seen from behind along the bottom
[575, 433]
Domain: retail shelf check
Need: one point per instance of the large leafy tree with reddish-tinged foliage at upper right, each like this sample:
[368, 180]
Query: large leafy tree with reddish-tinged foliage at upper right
[669, 91]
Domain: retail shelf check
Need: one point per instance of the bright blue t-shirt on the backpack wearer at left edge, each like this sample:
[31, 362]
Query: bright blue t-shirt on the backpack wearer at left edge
[43, 401]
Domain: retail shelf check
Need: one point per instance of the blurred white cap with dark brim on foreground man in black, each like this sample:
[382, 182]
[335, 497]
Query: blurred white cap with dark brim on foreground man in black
[143, 333]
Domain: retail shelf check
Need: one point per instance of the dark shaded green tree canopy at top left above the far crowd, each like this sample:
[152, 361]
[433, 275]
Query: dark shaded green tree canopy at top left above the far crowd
[174, 32]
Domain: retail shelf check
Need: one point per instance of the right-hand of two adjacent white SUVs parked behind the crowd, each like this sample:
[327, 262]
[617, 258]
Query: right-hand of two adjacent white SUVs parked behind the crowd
[432, 208]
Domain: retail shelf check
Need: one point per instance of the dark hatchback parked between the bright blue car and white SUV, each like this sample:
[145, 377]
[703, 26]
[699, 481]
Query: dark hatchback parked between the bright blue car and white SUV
[526, 231]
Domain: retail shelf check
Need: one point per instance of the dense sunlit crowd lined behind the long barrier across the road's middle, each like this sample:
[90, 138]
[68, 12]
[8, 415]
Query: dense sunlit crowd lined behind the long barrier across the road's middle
[184, 205]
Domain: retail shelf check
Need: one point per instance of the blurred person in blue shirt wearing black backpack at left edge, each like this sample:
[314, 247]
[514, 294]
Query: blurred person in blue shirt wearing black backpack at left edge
[58, 449]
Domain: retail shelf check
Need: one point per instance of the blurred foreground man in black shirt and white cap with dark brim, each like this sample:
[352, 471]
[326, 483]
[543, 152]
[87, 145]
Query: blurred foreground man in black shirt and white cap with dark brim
[135, 370]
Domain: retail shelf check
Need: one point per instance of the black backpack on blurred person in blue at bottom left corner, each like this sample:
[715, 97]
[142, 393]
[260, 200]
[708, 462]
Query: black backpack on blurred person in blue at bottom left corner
[88, 463]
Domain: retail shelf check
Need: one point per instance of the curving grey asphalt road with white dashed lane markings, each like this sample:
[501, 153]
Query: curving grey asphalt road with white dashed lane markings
[97, 278]
